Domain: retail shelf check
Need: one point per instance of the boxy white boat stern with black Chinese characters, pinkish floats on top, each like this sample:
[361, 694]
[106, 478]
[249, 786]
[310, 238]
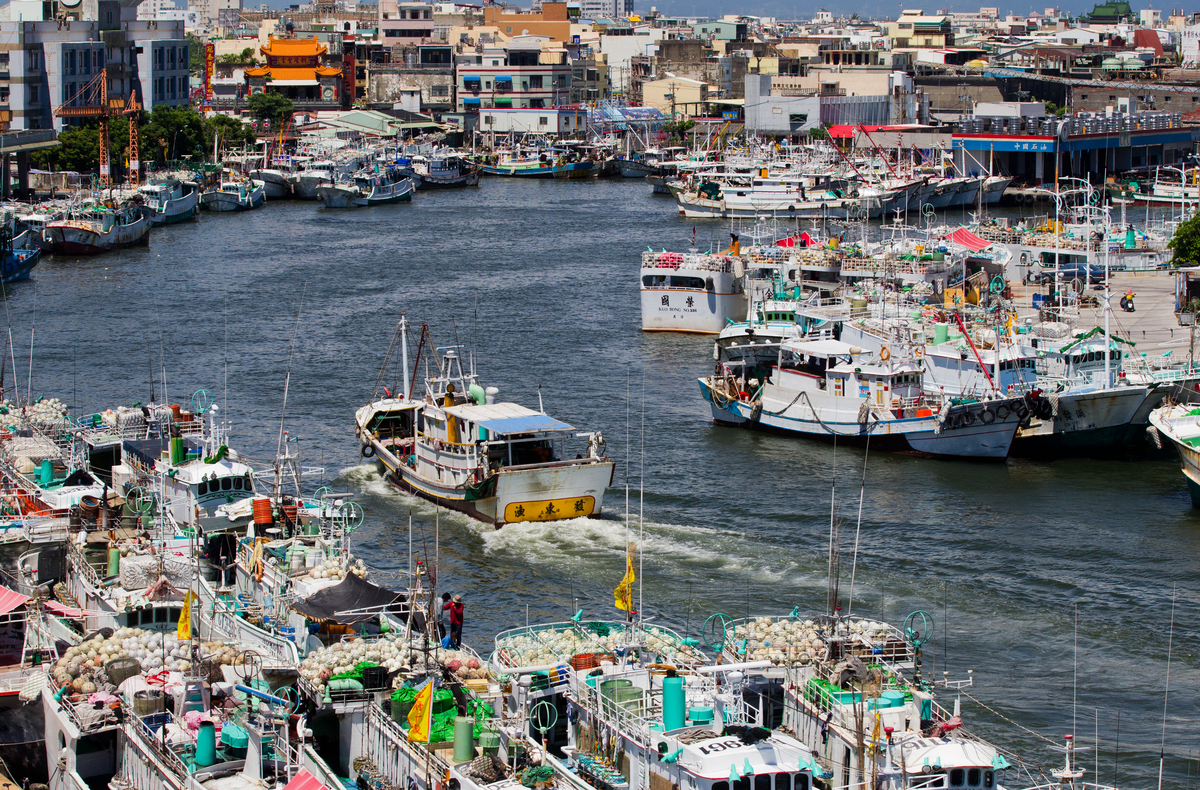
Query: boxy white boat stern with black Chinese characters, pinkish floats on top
[693, 292]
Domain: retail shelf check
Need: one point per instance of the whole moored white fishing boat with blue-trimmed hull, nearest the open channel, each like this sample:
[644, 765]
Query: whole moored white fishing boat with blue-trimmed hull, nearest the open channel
[827, 390]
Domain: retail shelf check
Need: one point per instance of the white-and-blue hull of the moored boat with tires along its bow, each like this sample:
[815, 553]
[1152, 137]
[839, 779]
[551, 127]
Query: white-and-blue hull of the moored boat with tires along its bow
[919, 435]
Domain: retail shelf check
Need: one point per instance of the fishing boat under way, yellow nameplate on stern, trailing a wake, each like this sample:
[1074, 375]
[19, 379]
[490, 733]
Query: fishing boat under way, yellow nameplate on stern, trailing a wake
[496, 462]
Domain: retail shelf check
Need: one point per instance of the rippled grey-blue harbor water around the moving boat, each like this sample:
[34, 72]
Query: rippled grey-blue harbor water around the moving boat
[1005, 556]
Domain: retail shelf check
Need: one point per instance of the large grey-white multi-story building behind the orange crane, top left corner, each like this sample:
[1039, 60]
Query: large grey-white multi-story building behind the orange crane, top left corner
[45, 65]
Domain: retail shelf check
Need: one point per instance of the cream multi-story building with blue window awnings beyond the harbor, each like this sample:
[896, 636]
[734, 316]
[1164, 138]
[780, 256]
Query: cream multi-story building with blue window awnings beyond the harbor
[523, 76]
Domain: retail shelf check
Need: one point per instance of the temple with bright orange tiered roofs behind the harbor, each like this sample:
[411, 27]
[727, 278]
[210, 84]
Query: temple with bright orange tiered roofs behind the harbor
[295, 70]
